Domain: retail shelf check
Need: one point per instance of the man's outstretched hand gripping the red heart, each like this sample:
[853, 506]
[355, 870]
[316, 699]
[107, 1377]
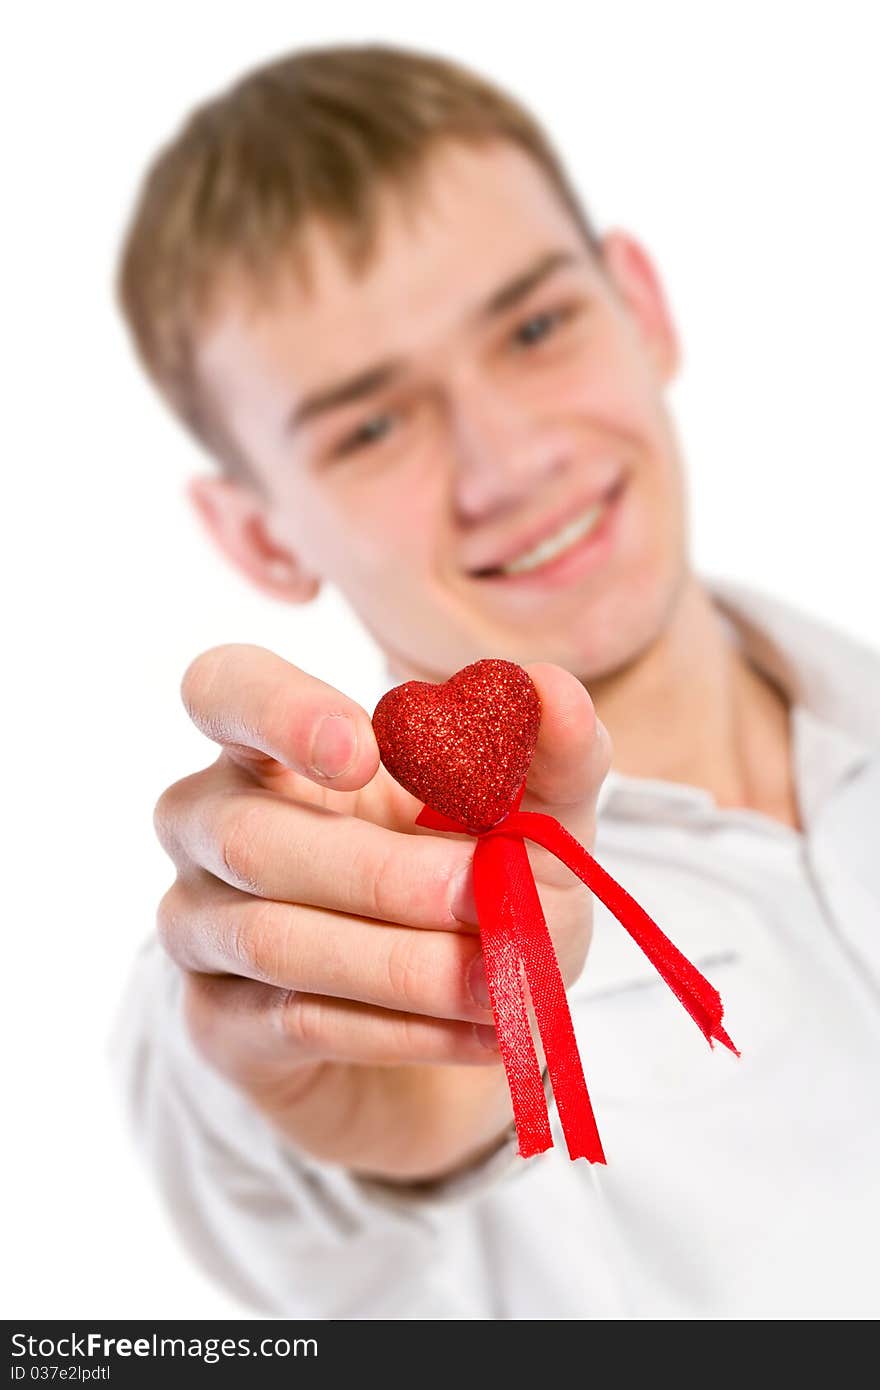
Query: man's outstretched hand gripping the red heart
[330, 947]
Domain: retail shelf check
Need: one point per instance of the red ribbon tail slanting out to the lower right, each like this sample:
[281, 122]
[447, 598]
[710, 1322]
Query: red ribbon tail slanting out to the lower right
[692, 989]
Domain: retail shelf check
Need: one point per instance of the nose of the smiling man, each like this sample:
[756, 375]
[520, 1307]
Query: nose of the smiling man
[503, 452]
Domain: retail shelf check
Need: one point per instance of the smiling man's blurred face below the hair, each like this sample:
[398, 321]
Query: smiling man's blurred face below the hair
[471, 439]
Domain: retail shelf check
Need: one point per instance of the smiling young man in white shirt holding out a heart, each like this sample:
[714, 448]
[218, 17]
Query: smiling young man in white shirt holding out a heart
[364, 280]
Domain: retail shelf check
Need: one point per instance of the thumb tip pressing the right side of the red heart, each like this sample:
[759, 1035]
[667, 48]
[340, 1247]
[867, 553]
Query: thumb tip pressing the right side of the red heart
[573, 753]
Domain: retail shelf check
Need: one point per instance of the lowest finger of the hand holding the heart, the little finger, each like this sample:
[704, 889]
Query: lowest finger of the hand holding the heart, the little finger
[241, 1025]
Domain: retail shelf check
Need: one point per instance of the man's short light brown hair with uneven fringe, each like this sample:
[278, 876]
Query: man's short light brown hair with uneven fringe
[313, 136]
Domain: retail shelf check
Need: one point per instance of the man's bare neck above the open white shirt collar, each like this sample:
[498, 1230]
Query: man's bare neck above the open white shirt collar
[693, 710]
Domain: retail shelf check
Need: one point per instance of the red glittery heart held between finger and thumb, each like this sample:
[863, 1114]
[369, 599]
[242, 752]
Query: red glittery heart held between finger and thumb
[464, 747]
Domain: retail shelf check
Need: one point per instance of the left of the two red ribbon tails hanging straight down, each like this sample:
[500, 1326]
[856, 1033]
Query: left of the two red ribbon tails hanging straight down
[507, 995]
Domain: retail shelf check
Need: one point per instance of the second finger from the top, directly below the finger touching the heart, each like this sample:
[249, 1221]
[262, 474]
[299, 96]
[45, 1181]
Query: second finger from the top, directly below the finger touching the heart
[295, 853]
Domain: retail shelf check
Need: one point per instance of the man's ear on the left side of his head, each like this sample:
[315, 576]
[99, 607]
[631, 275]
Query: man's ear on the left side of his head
[236, 518]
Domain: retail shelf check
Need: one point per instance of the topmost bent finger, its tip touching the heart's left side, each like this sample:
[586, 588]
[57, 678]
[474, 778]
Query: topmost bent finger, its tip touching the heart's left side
[268, 714]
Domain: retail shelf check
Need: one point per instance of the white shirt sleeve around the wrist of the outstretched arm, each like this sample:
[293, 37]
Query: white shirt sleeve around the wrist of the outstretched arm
[288, 1235]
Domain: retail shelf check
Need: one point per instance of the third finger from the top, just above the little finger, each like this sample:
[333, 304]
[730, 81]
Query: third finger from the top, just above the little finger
[218, 931]
